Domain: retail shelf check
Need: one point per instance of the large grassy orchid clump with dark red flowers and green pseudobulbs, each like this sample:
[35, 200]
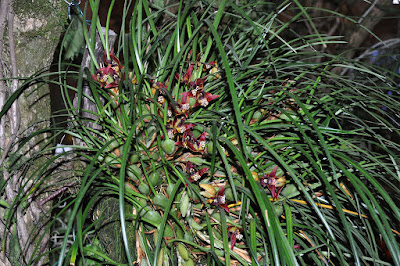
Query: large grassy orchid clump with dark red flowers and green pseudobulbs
[221, 142]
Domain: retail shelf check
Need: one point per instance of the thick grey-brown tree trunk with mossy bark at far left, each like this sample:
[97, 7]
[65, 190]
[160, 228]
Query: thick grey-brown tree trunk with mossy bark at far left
[29, 34]
